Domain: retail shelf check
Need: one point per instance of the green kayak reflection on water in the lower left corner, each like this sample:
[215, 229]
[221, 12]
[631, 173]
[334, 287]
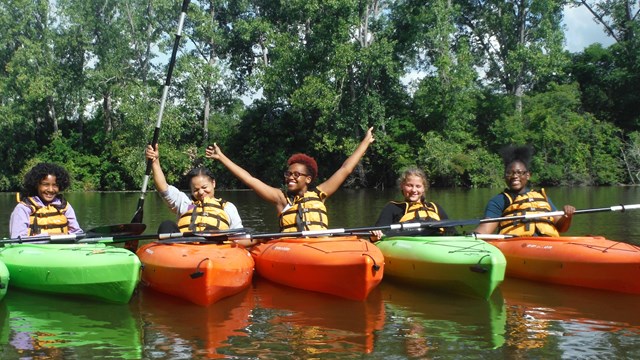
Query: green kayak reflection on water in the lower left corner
[40, 326]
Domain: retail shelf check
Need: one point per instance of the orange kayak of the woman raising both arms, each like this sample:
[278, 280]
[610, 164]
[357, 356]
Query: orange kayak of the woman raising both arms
[344, 266]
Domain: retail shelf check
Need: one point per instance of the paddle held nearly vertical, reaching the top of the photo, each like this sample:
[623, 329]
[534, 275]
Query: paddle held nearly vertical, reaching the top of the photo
[138, 215]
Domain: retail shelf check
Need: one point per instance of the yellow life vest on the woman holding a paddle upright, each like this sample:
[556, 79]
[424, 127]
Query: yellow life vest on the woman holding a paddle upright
[204, 215]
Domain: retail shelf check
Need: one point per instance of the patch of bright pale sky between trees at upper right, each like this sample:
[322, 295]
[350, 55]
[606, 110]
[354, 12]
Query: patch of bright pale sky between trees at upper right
[581, 30]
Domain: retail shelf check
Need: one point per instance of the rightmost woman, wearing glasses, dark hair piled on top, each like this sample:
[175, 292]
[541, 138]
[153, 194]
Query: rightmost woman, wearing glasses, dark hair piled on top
[518, 199]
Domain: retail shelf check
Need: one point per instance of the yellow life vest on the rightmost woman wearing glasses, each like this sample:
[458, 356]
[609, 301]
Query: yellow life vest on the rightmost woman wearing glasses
[531, 202]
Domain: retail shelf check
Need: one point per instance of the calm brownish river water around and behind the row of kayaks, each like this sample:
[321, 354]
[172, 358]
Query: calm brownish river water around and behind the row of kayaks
[523, 320]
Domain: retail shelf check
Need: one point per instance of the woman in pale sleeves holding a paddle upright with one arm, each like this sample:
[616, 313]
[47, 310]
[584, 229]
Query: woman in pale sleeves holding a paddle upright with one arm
[199, 212]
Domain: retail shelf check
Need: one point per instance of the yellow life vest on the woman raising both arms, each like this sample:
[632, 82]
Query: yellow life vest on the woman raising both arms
[305, 212]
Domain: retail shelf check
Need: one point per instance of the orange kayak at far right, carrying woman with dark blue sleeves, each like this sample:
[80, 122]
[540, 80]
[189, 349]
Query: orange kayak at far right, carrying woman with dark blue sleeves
[592, 262]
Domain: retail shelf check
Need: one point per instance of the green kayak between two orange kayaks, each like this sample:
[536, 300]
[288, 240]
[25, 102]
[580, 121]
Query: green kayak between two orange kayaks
[455, 264]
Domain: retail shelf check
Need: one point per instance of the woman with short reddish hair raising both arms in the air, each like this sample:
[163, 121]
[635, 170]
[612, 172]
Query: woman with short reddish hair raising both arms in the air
[301, 206]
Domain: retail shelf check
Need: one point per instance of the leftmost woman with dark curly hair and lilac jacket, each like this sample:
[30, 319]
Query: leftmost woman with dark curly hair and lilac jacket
[41, 208]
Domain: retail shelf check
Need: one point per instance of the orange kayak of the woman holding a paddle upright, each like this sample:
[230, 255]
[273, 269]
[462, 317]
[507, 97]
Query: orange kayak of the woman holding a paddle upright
[199, 272]
